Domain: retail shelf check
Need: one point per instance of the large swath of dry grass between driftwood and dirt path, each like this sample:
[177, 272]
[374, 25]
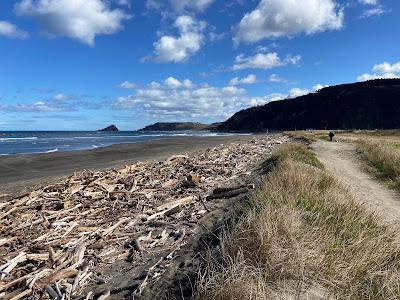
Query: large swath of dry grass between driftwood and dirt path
[304, 236]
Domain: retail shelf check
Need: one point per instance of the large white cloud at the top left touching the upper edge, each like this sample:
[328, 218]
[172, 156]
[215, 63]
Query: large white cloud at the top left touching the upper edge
[82, 20]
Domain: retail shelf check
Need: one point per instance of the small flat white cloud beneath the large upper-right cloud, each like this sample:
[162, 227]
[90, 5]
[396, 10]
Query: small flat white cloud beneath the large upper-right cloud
[263, 61]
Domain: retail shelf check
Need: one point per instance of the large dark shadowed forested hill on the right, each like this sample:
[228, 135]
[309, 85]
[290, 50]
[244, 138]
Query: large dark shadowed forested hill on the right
[365, 105]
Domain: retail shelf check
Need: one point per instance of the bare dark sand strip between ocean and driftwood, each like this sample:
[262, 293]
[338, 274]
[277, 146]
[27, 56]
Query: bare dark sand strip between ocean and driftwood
[19, 172]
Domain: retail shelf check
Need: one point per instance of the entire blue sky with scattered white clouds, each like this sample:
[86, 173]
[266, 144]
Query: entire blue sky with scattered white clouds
[86, 64]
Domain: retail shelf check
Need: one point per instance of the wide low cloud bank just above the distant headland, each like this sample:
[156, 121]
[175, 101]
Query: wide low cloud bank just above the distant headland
[175, 99]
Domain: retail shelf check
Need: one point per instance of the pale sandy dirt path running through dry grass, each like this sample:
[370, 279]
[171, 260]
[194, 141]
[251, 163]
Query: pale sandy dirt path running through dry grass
[340, 159]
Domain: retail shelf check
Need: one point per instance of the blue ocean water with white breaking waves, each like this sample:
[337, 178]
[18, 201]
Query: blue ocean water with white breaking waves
[26, 142]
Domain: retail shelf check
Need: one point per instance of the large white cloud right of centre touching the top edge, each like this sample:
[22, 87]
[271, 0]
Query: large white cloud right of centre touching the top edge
[278, 18]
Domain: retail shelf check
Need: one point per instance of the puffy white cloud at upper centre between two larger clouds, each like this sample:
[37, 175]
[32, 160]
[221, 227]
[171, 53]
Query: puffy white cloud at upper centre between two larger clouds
[179, 49]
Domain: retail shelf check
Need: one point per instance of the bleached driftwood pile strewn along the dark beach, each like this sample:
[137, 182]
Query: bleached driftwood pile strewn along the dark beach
[56, 241]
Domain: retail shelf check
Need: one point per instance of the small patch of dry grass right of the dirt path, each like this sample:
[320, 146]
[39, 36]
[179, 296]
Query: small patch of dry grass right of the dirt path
[383, 159]
